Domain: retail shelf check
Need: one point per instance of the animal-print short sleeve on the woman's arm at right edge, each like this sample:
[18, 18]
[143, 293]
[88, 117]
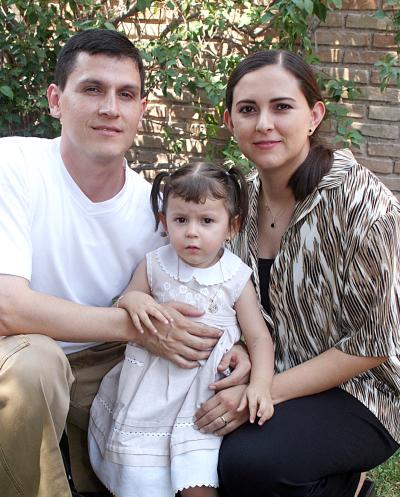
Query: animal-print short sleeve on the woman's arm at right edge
[371, 309]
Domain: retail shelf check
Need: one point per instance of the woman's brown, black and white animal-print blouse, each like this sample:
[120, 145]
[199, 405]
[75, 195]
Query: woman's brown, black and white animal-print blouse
[336, 280]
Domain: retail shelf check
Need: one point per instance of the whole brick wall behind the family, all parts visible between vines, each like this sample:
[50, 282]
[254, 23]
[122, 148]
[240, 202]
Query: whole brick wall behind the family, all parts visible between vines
[348, 45]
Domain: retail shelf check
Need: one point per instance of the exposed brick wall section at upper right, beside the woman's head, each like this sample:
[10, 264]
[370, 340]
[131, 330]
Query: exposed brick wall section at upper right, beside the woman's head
[348, 45]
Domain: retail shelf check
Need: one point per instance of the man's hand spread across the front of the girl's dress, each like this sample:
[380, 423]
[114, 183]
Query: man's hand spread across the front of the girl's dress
[183, 341]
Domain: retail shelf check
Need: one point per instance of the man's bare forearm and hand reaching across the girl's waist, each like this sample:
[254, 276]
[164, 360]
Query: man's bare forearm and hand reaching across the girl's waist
[23, 310]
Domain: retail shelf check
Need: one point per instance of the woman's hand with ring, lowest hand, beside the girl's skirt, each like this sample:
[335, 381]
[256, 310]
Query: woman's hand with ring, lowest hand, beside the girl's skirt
[219, 415]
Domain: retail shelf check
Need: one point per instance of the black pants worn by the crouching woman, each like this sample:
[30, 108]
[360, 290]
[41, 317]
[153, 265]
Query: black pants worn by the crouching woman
[314, 446]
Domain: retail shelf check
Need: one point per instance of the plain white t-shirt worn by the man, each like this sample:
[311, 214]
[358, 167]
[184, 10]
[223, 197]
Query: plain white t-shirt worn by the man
[54, 236]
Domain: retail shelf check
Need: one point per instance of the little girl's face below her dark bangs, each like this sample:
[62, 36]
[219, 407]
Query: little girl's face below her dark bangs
[197, 231]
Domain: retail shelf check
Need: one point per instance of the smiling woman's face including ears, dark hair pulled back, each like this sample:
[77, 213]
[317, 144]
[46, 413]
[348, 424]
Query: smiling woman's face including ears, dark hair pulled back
[270, 119]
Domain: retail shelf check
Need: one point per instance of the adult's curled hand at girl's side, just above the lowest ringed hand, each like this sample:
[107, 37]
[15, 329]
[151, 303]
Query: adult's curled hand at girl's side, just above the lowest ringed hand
[237, 364]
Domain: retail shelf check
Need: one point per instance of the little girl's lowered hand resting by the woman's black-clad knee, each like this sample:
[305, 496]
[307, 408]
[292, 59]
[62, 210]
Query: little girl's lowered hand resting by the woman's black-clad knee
[258, 400]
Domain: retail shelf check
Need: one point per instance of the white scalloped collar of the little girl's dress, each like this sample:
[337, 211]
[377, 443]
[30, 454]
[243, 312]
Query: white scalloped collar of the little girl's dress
[220, 272]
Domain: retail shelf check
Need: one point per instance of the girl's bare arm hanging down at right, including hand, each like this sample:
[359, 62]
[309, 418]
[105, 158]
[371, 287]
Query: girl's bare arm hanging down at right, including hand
[259, 344]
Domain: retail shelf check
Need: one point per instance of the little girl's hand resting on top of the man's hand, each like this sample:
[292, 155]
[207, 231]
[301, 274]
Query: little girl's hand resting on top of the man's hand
[140, 307]
